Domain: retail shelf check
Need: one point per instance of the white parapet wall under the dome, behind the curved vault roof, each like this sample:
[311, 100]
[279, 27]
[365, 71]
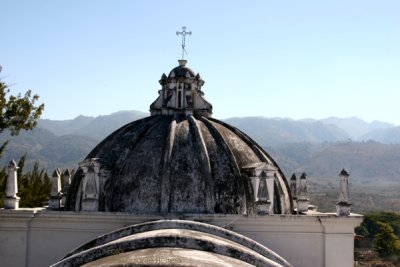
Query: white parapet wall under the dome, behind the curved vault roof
[35, 237]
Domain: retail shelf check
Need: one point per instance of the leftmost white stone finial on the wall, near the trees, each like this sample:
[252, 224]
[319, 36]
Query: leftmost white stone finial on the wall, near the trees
[11, 200]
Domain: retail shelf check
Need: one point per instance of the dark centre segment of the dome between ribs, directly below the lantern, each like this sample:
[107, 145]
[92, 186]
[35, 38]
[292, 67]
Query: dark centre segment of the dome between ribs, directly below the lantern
[191, 180]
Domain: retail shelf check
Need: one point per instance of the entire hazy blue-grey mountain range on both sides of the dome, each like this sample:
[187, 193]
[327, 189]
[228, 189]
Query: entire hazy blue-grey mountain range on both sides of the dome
[318, 147]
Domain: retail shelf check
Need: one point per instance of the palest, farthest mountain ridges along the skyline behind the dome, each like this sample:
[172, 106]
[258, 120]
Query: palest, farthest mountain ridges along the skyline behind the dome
[270, 130]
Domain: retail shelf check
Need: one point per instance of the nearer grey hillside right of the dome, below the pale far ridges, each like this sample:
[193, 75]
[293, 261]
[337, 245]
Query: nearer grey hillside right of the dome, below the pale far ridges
[366, 161]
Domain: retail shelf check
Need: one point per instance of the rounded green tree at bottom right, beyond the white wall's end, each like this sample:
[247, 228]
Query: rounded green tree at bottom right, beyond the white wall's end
[386, 242]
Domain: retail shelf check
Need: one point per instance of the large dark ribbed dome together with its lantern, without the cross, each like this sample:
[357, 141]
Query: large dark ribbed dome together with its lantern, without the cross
[179, 160]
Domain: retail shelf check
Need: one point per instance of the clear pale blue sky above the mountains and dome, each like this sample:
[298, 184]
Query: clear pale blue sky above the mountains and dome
[296, 59]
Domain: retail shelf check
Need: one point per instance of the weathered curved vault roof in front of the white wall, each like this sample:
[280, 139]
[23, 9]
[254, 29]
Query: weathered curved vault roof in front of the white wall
[168, 237]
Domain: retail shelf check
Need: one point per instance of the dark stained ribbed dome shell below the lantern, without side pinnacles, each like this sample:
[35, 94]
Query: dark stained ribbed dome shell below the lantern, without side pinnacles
[171, 164]
